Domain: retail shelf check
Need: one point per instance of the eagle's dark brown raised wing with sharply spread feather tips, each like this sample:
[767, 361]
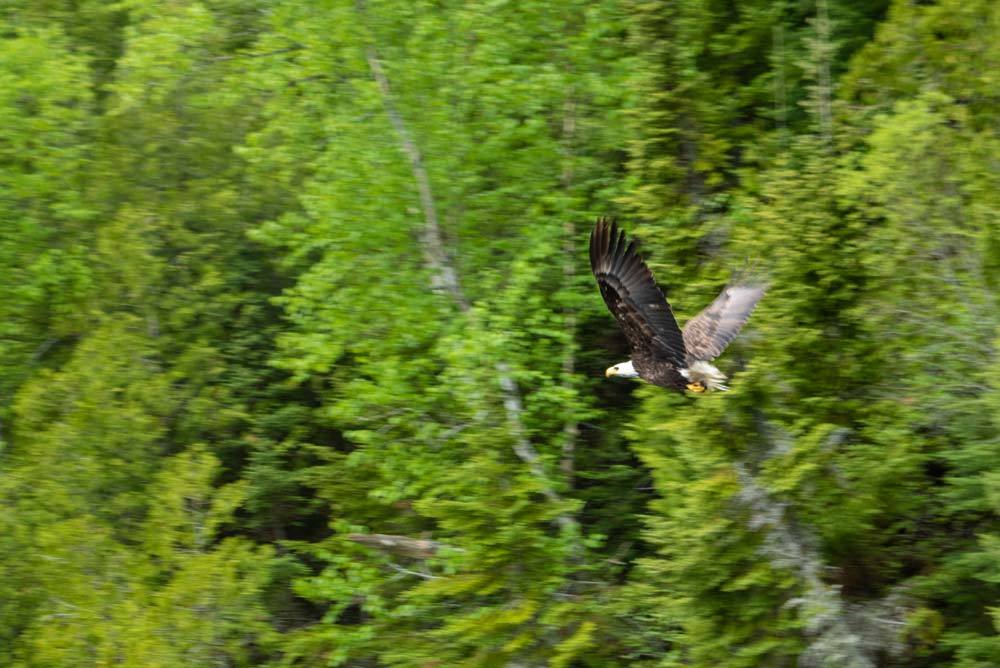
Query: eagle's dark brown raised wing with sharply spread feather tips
[633, 296]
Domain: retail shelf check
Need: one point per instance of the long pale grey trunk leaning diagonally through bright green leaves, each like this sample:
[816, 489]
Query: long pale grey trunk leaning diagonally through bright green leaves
[444, 277]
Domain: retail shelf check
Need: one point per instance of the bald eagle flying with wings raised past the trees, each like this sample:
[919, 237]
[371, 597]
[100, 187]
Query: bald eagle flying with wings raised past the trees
[662, 353]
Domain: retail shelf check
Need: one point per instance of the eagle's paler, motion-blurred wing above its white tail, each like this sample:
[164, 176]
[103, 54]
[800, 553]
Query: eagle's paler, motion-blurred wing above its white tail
[707, 334]
